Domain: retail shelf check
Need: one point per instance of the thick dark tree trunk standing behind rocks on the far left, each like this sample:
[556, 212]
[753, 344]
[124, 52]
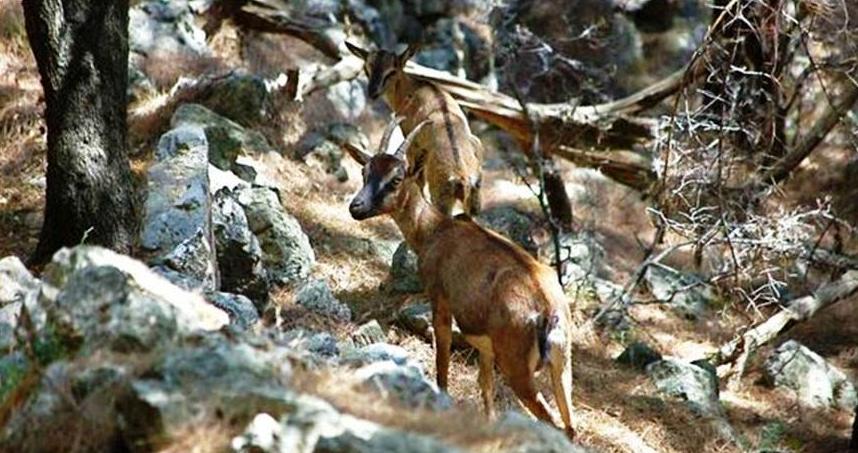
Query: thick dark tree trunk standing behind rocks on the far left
[81, 48]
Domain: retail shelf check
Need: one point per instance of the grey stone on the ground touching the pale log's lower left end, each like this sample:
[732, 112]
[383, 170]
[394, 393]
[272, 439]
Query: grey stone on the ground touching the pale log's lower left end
[688, 382]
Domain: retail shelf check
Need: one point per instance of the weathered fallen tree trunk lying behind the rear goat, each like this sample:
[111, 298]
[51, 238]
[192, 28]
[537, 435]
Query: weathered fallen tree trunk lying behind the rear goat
[597, 136]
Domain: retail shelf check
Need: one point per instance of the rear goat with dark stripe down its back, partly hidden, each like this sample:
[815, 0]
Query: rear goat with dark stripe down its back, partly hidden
[451, 154]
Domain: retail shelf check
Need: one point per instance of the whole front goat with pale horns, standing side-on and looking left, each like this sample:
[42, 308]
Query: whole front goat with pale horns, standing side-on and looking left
[508, 305]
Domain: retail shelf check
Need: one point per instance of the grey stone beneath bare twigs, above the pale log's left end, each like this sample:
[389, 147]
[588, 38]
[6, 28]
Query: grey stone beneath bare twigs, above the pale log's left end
[687, 294]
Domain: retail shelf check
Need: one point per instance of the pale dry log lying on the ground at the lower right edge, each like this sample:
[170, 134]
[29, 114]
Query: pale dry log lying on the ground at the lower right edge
[739, 349]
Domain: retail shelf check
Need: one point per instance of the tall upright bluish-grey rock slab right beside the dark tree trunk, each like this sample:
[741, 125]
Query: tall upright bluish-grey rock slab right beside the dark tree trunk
[177, 228]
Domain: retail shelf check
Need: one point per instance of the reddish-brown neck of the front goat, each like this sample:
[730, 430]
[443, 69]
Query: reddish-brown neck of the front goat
[417, 219]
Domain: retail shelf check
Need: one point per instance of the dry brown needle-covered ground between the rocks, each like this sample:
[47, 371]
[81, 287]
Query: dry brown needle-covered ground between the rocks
[615, 409]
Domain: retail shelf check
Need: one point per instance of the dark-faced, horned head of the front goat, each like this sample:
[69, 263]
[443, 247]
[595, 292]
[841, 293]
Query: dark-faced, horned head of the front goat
[384, 175]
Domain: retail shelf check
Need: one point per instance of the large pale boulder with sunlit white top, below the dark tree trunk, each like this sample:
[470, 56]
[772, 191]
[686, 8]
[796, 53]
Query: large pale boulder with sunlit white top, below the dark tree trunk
[132, 284]
